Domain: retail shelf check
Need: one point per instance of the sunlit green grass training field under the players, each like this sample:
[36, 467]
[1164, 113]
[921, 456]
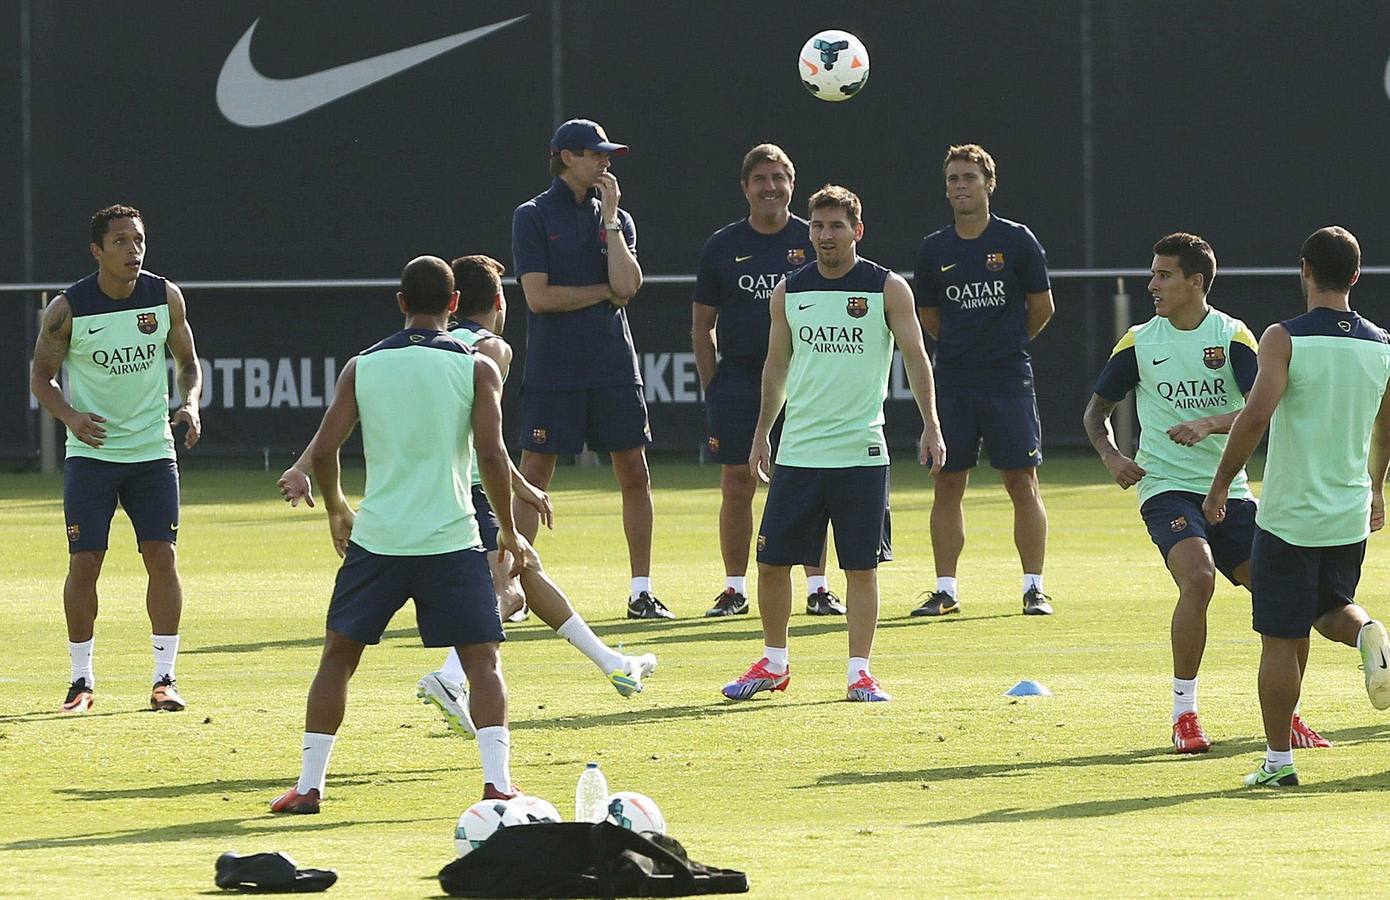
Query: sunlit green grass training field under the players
[951, 789]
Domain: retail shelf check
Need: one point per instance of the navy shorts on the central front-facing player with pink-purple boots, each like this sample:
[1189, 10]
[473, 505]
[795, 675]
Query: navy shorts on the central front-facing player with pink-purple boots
[803, 501]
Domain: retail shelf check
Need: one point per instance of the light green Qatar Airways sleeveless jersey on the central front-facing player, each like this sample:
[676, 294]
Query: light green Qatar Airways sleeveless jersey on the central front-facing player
[840, 362]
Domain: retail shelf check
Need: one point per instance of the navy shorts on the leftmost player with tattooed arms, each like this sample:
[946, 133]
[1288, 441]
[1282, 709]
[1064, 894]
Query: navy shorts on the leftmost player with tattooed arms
[148, 493]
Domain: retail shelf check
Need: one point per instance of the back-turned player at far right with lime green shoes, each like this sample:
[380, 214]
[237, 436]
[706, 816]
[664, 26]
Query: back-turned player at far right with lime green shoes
[1324, 373]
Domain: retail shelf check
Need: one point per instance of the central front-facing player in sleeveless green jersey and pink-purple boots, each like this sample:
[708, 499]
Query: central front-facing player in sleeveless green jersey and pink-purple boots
[829, 357]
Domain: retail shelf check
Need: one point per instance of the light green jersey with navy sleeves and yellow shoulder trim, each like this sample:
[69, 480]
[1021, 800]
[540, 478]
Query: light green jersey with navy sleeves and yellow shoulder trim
[1181, 376]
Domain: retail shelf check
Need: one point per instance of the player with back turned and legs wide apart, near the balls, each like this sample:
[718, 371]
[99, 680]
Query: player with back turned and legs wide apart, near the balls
[430, 407]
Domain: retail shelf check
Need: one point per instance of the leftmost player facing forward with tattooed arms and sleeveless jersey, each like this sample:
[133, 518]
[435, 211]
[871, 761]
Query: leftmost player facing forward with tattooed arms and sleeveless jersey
[112, 330]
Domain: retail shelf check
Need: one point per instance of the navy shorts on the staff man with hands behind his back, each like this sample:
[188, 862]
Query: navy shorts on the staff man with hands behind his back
[1010, 428]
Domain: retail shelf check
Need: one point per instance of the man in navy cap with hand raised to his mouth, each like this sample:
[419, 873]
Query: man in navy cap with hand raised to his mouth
[575, 255]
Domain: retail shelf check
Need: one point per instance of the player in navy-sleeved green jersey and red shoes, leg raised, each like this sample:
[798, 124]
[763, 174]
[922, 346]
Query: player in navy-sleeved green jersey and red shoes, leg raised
[1191, 368]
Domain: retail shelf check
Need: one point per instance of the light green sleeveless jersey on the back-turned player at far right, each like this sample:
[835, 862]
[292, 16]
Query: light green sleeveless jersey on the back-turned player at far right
[1317, 481]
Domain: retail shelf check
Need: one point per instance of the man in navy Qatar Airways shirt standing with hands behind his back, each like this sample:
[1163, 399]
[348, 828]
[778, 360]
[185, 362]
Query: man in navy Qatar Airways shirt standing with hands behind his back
[983, 294]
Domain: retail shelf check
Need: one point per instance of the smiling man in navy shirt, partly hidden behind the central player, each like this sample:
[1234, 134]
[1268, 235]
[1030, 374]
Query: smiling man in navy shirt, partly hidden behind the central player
[740, 266]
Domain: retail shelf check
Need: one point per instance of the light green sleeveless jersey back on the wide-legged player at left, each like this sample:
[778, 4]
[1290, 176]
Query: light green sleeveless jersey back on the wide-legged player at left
[415, 401]
